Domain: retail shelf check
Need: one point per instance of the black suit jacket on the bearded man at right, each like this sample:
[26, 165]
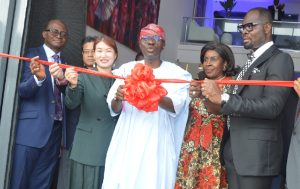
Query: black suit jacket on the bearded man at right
[255, 121]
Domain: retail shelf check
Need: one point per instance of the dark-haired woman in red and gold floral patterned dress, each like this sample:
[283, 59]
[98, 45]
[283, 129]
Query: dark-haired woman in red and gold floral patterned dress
[199, 163]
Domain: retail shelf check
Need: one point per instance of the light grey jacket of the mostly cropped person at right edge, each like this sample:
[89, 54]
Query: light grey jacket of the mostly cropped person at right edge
[293, 163]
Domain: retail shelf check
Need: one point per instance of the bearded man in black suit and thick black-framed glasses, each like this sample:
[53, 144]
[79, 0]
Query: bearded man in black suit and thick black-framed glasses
[253, 147]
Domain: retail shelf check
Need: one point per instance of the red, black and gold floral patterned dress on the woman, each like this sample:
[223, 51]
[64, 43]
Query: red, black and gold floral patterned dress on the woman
[199, 164]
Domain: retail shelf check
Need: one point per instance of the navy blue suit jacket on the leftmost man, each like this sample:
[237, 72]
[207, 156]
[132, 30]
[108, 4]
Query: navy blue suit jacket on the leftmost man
[37, 105]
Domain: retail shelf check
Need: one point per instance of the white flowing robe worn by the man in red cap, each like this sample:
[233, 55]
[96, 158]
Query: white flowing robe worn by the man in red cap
[144, 149]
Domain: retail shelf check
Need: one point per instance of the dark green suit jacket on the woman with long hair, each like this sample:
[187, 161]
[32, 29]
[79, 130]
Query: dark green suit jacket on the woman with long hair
[95, 127]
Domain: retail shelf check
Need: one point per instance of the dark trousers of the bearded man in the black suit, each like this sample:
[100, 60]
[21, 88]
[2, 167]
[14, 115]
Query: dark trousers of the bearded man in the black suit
[236, 181]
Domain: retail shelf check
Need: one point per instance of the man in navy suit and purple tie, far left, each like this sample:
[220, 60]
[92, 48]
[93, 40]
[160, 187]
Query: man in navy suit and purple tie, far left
[40, 117]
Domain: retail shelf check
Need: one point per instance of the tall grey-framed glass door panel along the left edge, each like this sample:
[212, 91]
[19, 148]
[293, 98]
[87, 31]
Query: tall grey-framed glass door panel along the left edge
[12, 20]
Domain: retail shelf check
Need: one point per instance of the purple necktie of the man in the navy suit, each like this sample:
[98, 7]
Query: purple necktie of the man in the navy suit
[57, 96]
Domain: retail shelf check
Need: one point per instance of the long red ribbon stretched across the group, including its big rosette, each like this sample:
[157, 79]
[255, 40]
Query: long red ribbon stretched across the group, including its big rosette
[143, 91]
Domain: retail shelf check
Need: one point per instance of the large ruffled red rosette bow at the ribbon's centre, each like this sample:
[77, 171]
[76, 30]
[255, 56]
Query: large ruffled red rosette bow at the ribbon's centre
[142, 90]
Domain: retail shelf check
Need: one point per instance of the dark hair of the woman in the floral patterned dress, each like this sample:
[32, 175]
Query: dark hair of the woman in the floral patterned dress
[224, 52]
